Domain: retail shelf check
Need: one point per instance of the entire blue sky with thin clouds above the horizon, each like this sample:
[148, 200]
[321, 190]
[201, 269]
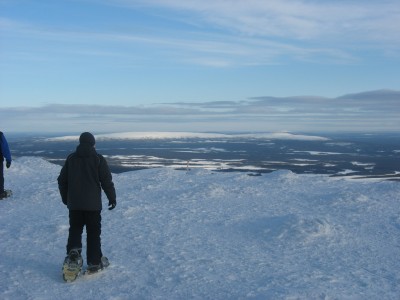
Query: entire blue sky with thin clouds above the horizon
[160, 58]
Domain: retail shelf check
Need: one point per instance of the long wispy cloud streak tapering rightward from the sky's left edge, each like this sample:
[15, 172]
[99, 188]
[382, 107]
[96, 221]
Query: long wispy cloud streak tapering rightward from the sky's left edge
[211, 49]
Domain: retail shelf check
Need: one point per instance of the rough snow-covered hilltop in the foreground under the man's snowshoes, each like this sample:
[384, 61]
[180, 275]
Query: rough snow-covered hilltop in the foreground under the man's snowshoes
[206, 235]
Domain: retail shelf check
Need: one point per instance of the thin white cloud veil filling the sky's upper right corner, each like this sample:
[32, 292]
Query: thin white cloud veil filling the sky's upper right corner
[292, 19]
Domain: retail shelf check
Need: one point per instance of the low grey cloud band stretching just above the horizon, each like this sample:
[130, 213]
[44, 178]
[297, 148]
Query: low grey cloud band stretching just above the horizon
[368, 111]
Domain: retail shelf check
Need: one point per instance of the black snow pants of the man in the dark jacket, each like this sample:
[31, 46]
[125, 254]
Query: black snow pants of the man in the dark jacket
[92, 220]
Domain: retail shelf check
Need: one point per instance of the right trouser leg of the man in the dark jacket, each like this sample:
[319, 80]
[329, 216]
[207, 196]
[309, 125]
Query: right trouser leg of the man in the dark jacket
[93, 230]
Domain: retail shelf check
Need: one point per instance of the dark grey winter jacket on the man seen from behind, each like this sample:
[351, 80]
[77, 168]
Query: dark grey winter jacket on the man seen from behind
[82, 177]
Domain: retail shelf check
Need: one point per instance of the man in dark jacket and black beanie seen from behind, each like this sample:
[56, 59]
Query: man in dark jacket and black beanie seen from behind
[81, 179]
